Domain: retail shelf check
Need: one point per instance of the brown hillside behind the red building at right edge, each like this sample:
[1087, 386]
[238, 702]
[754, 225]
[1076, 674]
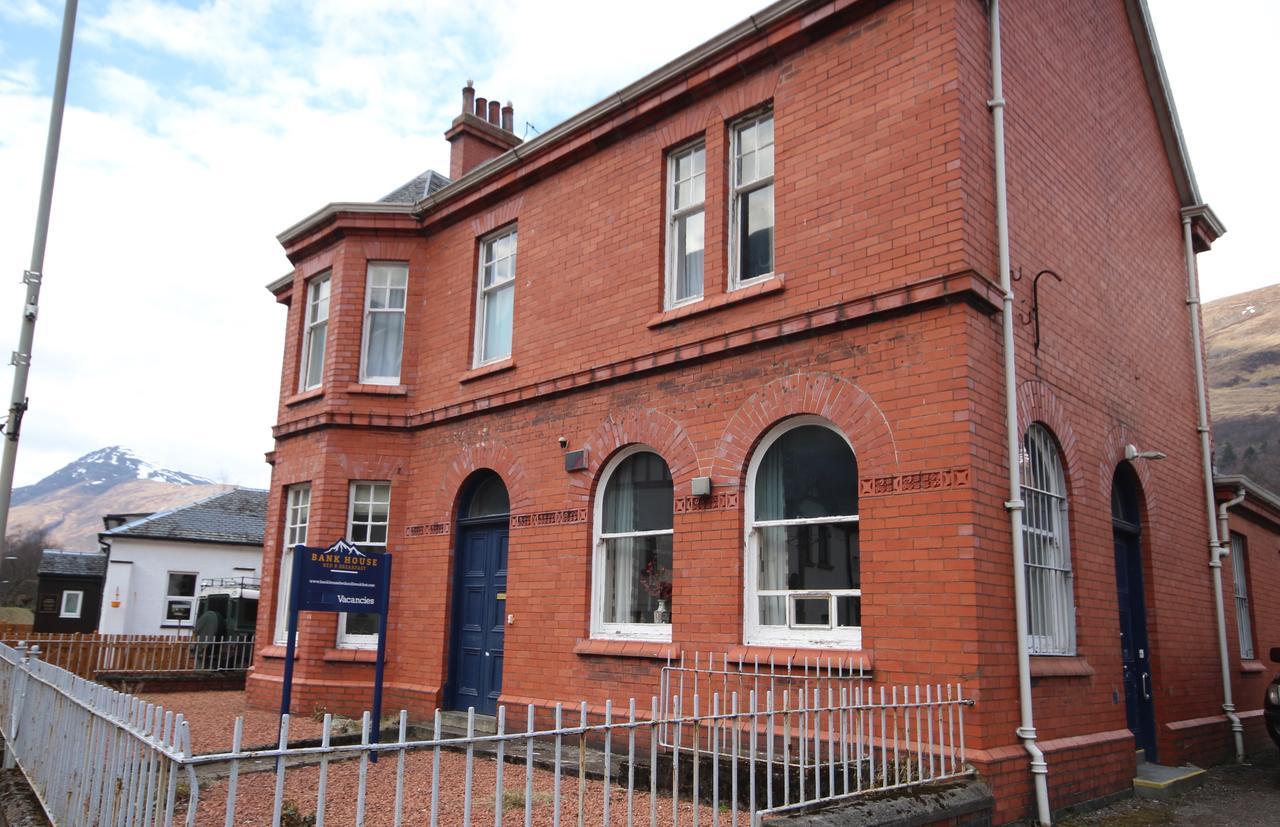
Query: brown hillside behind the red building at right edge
[1242, 335]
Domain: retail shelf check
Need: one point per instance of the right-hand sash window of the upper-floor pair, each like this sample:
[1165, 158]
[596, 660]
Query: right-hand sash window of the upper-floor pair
[751, 207]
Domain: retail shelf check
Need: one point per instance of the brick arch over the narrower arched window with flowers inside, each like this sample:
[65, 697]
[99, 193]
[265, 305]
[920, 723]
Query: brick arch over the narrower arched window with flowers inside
[646, 427]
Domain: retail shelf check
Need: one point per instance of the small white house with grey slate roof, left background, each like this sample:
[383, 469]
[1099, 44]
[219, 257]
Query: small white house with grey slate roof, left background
[158, 564]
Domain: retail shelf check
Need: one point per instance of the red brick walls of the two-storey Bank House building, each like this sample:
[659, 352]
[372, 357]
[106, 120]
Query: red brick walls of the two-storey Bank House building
[883, 318]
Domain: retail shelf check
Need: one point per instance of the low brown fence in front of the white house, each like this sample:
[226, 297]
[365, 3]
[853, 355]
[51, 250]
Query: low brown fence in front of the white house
[93, 655]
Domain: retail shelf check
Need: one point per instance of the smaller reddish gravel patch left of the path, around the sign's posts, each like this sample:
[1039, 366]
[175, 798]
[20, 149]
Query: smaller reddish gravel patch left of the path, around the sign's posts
[212, 718]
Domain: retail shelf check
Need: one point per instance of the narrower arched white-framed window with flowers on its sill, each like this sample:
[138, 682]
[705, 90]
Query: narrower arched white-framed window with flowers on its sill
[632, 563]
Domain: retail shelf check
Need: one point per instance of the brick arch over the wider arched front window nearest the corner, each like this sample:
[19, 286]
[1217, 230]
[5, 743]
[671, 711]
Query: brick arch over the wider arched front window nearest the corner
[845, 405]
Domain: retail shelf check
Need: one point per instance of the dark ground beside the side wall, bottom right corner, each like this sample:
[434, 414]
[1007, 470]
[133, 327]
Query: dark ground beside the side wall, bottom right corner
[1232, 797]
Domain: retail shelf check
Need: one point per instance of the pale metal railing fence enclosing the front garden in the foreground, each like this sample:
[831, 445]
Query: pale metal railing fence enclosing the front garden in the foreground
[99, 757]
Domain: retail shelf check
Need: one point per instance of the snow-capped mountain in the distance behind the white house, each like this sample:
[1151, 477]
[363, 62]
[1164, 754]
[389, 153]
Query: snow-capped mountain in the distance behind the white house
[71, 502]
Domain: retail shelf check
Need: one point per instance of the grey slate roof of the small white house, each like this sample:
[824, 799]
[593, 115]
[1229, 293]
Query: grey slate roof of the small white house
[236, 517]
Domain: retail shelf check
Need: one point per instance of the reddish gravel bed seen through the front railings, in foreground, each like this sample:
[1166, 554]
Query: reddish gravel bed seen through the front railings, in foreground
[255, 796]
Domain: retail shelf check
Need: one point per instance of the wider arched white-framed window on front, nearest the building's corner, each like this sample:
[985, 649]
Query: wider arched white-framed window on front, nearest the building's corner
[803, 563]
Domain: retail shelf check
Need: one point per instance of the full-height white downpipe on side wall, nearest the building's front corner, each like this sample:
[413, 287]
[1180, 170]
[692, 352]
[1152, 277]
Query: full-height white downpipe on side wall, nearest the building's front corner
[1027, 729]
